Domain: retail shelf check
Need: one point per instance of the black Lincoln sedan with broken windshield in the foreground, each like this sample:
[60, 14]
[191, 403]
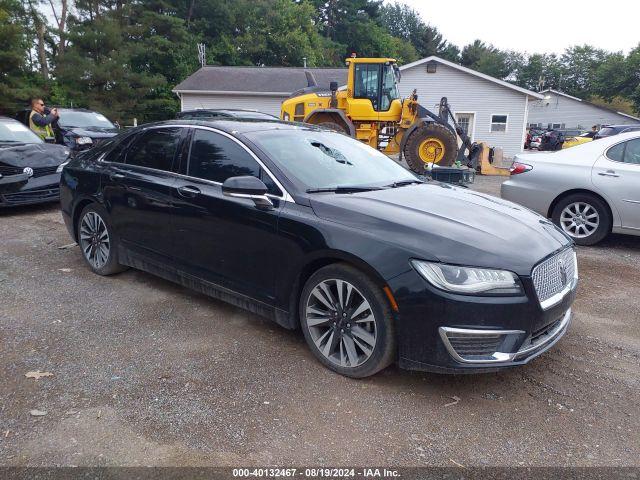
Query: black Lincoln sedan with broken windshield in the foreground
[315, 230]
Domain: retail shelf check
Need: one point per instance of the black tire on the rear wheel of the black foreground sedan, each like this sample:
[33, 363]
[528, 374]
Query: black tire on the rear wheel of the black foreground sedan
[111, 265]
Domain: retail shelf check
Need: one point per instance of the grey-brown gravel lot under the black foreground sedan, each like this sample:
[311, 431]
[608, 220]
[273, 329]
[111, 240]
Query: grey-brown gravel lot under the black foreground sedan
[149, 373]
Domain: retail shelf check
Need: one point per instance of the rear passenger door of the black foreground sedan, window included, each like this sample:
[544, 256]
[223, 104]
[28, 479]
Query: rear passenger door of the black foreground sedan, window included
[137, 189]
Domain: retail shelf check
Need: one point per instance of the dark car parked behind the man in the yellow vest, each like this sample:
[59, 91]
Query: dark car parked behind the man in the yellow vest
[77, 128]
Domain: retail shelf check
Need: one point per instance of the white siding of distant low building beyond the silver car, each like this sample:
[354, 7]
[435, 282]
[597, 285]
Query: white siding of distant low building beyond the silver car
[572, 113]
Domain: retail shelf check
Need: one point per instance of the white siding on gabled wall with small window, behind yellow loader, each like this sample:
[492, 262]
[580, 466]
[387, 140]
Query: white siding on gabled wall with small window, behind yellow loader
[467, 93]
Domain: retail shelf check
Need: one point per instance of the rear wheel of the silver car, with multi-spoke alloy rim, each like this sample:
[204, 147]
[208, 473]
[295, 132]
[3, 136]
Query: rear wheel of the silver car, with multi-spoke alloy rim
[583, 217]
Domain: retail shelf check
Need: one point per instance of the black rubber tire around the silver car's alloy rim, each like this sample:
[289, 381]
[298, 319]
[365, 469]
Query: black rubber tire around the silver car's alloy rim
[569, 203]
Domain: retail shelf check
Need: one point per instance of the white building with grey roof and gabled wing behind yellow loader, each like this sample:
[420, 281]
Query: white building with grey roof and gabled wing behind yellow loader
[490, 110]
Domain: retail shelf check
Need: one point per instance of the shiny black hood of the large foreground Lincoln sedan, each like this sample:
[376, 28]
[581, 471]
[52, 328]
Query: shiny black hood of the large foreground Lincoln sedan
[436, 221]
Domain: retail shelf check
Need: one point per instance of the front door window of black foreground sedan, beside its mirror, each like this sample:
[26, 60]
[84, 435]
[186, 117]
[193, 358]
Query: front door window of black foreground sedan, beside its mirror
[215, 157]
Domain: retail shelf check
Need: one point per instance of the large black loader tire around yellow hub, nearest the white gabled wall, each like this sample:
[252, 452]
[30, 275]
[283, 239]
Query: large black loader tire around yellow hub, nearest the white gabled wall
[430, 130]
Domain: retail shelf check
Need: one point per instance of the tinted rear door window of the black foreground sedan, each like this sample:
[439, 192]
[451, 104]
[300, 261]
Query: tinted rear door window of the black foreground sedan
[154, 148]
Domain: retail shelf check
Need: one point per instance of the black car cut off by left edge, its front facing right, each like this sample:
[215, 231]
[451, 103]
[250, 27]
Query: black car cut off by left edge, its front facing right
[23, 152]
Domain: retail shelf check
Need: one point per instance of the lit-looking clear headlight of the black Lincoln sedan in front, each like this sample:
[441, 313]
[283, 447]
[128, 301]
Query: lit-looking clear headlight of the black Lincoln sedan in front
[469, 280]
